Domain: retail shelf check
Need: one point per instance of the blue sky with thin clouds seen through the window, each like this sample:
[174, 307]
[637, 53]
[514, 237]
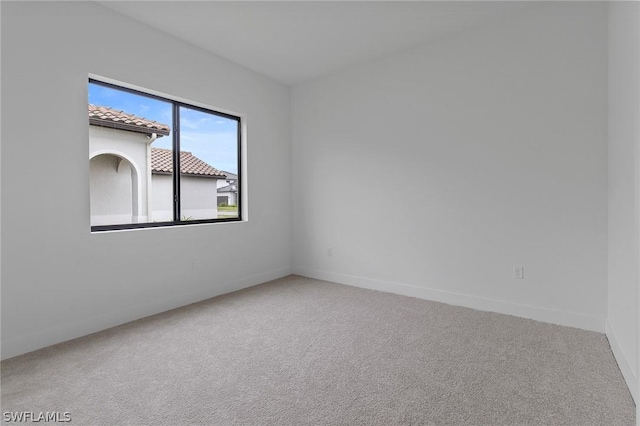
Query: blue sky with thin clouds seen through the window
[209, 137]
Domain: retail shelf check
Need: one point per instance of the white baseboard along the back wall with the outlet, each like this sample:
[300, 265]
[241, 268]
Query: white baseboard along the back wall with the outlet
[480, 303]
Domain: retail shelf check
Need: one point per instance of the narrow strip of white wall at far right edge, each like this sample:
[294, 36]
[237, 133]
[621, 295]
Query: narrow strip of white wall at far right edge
[624, 187]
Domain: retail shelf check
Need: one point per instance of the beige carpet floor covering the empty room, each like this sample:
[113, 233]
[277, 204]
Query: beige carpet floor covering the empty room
[298, 351]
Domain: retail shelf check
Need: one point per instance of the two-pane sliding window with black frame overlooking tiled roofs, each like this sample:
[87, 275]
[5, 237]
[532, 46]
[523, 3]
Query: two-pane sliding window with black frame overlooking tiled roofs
[137, 142]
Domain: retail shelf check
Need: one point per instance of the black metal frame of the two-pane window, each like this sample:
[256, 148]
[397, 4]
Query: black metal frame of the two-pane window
[175, 129]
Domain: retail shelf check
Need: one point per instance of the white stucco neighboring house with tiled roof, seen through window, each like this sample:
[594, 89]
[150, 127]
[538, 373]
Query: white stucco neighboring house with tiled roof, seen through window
[131, 182]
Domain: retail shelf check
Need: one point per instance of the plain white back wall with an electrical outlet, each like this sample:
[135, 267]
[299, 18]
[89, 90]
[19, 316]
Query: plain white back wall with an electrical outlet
[498, 138]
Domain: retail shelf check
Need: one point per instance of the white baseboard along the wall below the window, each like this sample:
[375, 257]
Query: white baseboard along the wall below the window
[64, 332]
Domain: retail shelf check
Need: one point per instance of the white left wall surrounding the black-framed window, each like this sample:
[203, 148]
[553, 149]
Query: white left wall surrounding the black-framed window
[59, 281]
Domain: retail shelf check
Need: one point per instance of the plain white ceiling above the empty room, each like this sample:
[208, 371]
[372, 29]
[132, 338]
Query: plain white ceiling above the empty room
[293, 42]
